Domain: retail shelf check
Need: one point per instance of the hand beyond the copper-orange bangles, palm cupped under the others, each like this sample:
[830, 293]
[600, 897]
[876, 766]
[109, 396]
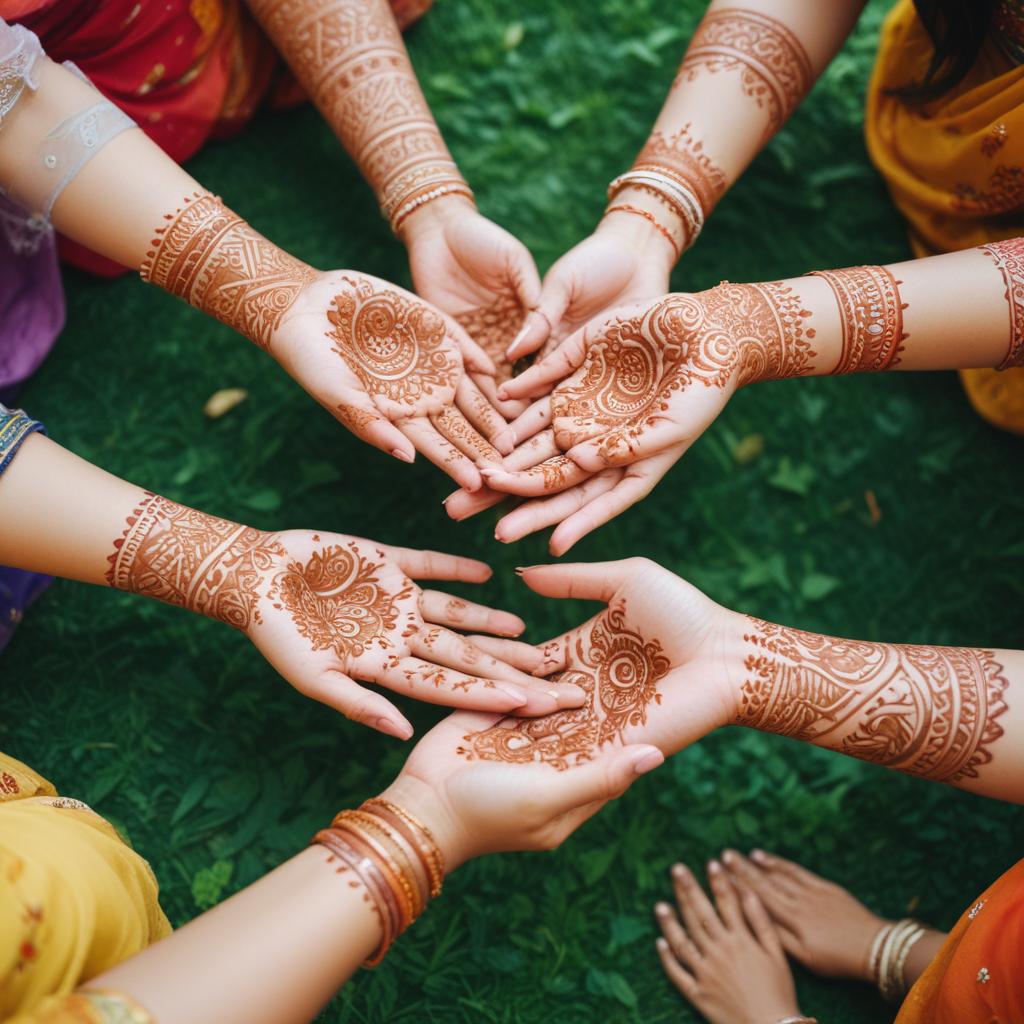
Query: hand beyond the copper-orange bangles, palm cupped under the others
[476, 807]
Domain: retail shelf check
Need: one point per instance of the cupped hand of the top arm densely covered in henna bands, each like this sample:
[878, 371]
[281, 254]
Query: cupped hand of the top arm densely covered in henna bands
[479, 274]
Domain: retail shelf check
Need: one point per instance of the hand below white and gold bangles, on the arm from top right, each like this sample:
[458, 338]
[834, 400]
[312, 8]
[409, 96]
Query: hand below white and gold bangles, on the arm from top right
[624, 262]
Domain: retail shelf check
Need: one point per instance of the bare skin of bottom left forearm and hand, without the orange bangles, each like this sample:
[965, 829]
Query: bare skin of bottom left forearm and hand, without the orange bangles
[260, 956]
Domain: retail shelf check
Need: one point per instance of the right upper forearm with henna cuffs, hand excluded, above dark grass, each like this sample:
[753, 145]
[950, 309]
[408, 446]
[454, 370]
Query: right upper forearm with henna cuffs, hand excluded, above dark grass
[946, 313]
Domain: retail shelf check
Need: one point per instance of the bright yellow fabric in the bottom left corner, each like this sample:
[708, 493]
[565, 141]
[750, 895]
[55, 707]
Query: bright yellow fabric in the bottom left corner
[75, 899]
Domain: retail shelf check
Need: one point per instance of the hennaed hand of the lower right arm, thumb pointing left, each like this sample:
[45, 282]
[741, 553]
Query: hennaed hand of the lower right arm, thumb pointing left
[652, 666]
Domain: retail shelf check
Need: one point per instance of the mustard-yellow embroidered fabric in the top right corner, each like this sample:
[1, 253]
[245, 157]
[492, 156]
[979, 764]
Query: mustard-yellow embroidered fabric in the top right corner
[955, 168]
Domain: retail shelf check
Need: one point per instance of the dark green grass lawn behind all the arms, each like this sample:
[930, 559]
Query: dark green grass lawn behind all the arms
[178, 731]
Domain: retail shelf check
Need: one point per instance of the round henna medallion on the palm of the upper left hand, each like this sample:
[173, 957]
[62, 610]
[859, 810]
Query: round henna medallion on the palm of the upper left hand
[397, 347]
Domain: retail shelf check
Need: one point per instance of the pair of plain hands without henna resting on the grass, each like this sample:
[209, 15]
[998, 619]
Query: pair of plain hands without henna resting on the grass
[729, 959]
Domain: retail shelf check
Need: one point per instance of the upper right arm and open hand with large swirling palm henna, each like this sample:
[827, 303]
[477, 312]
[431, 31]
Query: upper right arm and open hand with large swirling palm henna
[954, 313]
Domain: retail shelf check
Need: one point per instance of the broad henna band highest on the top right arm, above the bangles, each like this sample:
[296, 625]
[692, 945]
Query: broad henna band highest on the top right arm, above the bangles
[776, 69]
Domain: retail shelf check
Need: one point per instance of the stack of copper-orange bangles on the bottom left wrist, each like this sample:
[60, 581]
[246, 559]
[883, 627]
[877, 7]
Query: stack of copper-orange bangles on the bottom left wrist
[395, 857]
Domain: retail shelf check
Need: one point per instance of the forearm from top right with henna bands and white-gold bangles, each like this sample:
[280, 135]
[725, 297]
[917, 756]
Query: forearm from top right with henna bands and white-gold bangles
[747, 68]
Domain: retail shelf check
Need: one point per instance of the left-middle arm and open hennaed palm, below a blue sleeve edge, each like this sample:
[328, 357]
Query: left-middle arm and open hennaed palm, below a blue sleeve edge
[300, 596]
